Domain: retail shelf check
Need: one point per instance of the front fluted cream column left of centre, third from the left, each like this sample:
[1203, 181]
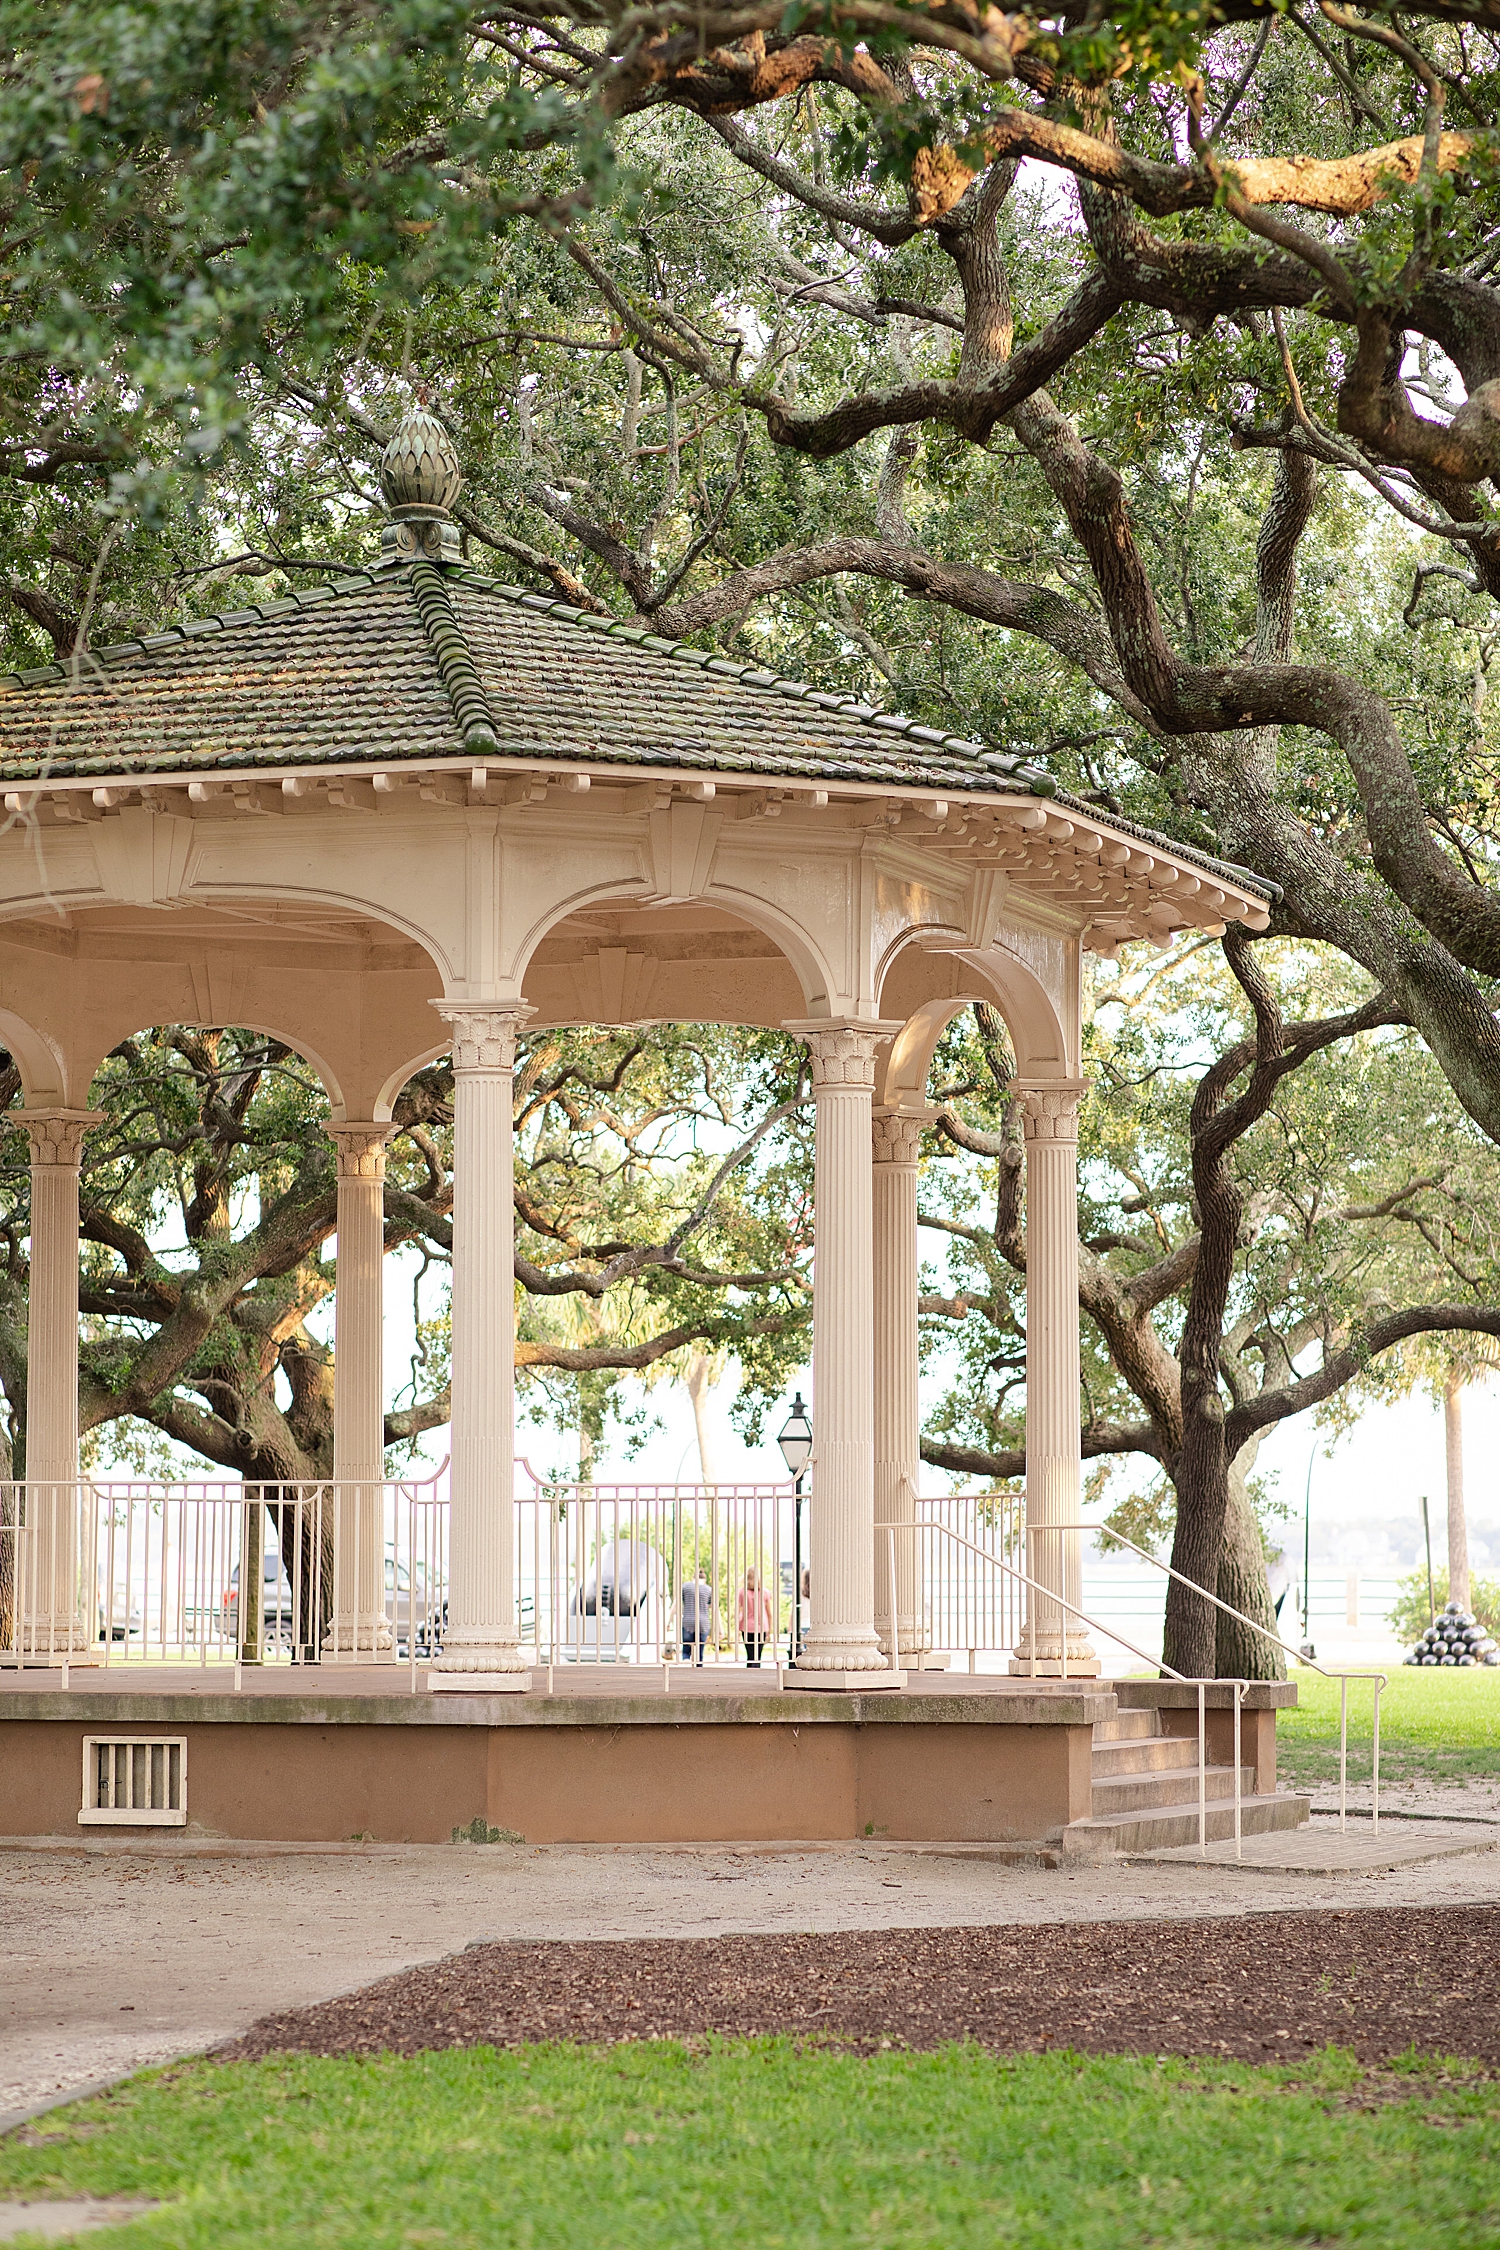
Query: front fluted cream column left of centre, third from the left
[482, 1639]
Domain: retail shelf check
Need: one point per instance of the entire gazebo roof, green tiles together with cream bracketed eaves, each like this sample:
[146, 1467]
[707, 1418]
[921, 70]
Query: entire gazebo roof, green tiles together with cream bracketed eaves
[469, 685]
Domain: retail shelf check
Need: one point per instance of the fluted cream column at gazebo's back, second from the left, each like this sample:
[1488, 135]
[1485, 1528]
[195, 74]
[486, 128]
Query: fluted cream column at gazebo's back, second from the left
[361, 1626]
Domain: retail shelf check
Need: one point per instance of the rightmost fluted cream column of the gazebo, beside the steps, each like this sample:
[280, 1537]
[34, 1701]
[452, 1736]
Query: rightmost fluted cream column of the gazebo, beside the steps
[1054, 1459]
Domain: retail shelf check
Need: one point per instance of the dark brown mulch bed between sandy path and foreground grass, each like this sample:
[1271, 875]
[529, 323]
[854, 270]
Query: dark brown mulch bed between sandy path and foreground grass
[1263, 1988]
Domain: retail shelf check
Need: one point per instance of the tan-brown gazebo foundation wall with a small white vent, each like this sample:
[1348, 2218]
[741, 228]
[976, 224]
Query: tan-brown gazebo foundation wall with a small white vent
[577, 1770]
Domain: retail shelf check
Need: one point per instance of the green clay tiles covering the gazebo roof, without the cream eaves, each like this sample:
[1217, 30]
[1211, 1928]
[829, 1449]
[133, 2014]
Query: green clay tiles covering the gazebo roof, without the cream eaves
[435, 663]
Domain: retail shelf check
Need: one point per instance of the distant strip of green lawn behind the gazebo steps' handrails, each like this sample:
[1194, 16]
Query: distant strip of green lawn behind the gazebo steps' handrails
[1438, 1725]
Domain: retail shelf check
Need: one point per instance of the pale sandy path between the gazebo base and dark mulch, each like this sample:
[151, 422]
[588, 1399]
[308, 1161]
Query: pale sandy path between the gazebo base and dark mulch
[120, 1959]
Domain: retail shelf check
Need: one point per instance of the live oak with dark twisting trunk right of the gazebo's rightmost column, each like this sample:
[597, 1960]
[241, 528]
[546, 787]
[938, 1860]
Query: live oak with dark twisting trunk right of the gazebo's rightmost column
[1238, 1214]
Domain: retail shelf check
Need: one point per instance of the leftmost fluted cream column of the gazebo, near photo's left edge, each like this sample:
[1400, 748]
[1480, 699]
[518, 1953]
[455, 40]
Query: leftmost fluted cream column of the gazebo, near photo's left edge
[57, 1608]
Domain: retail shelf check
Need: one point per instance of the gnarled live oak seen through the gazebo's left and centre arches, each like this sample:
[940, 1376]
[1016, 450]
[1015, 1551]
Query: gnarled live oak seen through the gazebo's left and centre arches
[208, 1207]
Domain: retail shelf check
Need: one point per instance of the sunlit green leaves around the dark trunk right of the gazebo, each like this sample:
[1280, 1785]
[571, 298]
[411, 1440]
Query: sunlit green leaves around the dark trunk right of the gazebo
[1339, 1223]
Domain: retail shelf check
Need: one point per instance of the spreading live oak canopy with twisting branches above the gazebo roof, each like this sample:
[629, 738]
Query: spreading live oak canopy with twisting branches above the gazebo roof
[752, 325]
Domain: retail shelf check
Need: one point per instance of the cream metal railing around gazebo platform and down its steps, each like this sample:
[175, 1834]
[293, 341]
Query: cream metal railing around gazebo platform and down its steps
[201, 1572]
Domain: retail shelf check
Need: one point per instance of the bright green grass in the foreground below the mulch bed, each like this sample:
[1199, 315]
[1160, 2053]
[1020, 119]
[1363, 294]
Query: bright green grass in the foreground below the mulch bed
[754, 2143]
